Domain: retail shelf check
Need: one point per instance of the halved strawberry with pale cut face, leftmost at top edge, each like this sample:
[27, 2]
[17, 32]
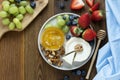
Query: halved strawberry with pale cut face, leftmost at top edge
[77, 4]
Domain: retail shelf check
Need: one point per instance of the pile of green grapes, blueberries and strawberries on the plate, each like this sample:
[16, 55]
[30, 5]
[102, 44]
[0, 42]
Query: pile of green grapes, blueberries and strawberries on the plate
[77, 26]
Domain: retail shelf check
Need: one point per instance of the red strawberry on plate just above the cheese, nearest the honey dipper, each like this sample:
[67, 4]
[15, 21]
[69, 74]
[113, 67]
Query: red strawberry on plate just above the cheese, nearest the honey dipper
[89, 34]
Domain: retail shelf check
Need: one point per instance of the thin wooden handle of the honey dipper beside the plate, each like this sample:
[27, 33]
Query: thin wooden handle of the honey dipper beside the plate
[93, 59]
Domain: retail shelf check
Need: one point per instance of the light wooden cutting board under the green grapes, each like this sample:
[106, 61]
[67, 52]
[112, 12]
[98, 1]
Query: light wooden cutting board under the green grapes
[40, 5]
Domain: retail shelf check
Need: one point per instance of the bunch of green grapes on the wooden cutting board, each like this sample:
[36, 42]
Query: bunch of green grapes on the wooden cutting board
[13, 12]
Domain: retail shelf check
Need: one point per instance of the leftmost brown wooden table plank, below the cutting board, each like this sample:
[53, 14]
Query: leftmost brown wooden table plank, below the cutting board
[11, 57]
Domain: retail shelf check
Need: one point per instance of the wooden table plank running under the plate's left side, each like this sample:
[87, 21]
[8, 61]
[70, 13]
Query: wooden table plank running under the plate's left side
[35, 67]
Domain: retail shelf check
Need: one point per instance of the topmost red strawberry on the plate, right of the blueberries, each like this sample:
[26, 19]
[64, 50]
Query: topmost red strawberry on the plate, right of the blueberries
[84, 20]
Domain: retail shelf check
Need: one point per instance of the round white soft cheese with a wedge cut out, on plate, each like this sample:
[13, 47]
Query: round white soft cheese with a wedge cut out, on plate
[80, 56]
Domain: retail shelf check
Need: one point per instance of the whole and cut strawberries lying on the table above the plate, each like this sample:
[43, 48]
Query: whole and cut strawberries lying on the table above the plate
[96, 14]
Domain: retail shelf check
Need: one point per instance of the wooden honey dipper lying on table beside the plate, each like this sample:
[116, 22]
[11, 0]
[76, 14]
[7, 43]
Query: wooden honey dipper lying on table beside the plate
[100, 35]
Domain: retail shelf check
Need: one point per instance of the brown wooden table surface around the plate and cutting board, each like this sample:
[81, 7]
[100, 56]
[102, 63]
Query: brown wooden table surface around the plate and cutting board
[19, 55]
